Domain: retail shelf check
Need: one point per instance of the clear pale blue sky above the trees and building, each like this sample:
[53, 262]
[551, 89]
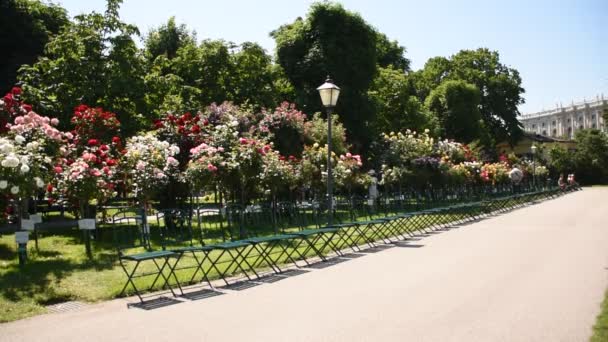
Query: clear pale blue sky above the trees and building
[559, 47]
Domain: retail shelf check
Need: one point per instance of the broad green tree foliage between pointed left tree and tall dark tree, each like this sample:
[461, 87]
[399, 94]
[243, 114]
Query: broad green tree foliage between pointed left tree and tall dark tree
[214, 72]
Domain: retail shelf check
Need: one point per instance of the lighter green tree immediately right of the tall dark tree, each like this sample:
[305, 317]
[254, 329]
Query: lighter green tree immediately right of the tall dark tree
[396, 108]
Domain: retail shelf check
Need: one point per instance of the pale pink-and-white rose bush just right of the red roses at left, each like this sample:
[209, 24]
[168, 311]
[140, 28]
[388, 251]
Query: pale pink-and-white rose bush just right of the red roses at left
[149, 164]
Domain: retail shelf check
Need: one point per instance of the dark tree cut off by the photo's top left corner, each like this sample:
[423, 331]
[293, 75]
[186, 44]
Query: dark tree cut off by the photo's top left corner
[26, 26]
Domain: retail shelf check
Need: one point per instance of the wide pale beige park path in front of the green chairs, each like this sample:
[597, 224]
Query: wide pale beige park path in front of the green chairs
[535, 274]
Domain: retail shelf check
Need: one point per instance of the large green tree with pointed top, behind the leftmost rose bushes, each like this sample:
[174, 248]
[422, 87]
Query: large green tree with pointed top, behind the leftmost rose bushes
[94, 61]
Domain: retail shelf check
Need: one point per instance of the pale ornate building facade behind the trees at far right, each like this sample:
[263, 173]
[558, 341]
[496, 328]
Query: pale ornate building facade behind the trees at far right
[562, 122]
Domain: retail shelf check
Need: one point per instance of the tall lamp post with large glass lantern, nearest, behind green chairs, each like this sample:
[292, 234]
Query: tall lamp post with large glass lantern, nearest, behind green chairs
[329, 93]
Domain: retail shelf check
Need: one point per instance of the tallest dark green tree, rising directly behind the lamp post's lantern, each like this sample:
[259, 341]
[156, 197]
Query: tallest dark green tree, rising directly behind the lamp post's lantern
[331, 40]
